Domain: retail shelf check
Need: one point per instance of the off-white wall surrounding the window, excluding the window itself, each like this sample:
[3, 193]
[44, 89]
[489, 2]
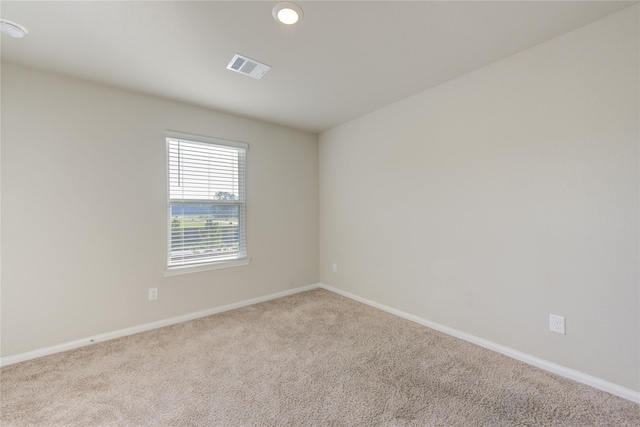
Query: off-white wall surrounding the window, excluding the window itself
[84, 210]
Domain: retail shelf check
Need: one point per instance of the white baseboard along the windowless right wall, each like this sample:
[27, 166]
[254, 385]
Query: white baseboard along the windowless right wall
[580, 377]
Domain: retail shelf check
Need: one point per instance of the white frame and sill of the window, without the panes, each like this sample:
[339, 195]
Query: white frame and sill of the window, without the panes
[241, 259]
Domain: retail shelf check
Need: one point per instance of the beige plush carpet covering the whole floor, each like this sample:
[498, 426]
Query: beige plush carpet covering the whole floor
[313, 358]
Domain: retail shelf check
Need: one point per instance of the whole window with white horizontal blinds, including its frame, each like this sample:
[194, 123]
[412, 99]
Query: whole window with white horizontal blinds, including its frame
[206, 202]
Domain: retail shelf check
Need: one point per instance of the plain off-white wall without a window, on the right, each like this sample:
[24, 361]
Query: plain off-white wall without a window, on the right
[493, 200]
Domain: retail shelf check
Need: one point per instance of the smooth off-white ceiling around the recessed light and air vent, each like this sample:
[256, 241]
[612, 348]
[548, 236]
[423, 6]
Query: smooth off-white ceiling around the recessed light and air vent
[343, 60]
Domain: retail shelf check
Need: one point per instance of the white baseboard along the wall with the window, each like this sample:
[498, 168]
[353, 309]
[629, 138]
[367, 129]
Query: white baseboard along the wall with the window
[10, 360]
